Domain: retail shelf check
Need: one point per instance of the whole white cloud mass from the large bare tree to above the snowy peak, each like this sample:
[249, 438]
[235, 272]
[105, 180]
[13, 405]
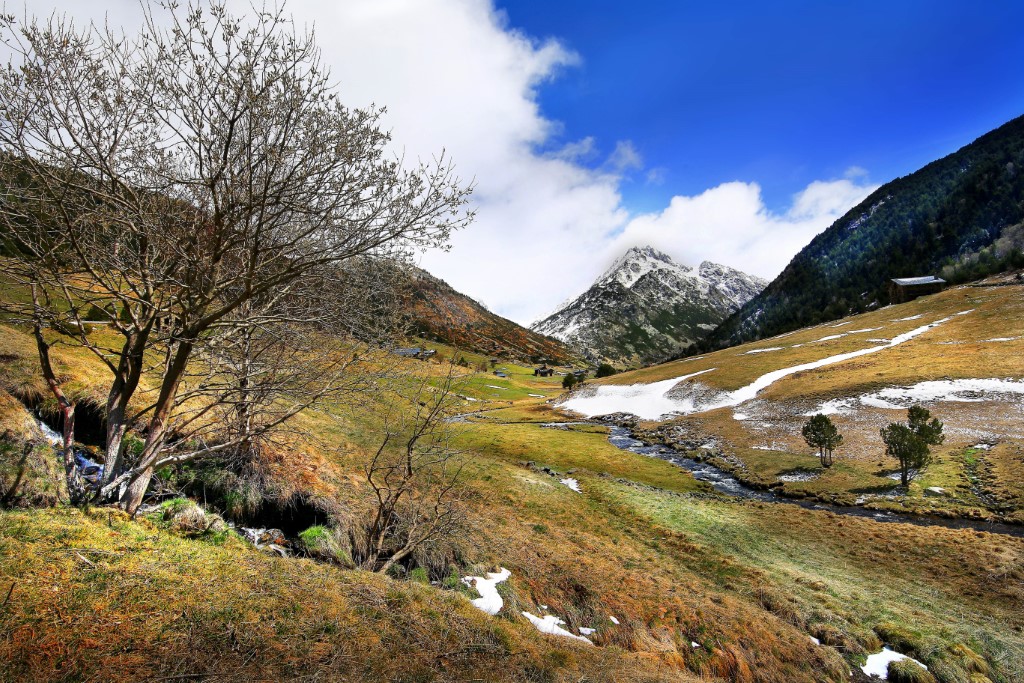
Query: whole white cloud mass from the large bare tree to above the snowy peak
[455, 77]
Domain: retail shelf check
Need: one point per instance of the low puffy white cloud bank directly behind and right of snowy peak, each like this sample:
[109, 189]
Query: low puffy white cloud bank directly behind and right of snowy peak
[731, 225]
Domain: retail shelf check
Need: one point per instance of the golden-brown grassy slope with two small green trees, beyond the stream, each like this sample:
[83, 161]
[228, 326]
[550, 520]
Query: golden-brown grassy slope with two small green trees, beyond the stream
[771, 446]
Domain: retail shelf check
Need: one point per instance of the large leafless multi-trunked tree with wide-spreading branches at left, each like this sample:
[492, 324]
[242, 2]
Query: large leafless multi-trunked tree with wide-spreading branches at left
[167, 181]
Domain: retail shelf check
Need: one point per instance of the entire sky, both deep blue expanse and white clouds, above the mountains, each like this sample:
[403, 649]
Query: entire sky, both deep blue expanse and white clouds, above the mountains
[731, 133]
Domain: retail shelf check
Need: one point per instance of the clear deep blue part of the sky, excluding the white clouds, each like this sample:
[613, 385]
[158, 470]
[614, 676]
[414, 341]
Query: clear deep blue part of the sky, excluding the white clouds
[782, 94]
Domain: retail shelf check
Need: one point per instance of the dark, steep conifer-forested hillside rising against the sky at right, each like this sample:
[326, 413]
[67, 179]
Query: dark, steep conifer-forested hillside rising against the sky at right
[959, 218]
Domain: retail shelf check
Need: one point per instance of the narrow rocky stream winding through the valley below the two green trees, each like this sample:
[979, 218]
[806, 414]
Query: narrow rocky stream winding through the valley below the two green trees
[724, 483]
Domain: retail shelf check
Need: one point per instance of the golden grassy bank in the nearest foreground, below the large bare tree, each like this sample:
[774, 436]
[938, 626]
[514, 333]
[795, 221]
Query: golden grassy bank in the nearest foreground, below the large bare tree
[103, 599]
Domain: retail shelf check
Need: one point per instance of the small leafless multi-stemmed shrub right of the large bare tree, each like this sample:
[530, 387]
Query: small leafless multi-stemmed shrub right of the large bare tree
[414, 478]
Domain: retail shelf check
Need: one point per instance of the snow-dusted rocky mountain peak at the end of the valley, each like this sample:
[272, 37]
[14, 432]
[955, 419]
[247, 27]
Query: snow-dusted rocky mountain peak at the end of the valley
[647, 307]
